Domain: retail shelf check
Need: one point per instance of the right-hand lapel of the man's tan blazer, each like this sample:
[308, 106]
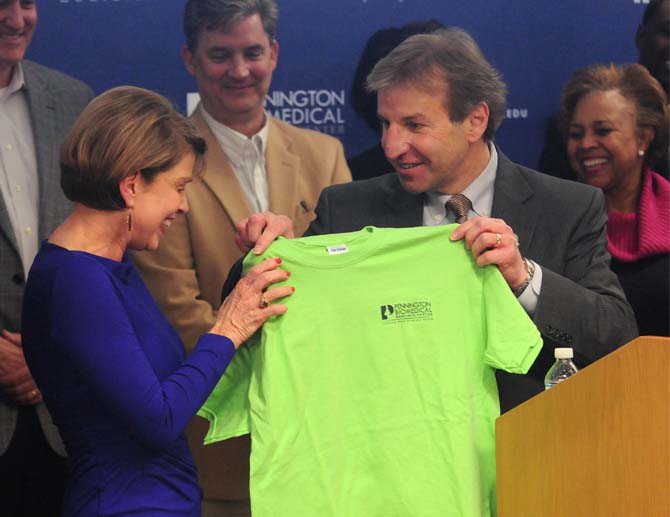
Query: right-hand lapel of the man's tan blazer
[284, 168]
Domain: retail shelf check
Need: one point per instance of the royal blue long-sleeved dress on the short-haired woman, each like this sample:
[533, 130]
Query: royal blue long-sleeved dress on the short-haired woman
[113, 375]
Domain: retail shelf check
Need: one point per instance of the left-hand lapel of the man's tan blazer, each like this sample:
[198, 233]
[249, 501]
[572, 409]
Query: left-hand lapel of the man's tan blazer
[219, 176]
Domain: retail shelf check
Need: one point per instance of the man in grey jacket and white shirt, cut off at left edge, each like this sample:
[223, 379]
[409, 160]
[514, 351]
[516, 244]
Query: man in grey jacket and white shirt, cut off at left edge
[37, 107]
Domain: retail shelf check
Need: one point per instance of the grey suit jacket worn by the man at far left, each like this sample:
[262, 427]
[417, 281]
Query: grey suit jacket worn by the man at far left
[54, 102]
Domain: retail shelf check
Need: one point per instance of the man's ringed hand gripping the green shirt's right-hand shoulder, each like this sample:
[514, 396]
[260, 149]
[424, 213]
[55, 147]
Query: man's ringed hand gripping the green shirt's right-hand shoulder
[492, 241]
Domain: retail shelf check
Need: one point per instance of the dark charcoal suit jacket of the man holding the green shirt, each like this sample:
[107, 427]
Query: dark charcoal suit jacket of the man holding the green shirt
[561, 226]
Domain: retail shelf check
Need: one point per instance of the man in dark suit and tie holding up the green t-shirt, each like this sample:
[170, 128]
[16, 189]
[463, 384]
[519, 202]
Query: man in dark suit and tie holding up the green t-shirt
[440, 103]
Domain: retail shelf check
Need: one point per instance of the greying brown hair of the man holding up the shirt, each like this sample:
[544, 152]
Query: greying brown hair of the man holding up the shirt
[448, 60]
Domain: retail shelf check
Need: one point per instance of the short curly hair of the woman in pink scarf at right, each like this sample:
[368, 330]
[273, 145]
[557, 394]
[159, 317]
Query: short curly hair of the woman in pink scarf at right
[635, 83]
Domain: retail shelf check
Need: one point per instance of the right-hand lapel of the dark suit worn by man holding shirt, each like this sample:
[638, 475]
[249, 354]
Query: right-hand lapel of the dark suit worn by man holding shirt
[514, 201]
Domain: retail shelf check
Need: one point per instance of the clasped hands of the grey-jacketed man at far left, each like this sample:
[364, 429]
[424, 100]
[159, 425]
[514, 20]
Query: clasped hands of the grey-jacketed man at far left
[16, 382]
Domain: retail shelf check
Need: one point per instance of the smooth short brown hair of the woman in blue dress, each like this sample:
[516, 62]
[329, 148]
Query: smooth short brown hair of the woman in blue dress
[123, 131]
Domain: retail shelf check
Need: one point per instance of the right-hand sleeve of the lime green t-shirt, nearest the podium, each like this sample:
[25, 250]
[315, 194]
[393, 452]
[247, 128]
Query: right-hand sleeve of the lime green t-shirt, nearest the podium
[512, 339]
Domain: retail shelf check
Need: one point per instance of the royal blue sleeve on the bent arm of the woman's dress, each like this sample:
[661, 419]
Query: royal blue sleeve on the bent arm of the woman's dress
[92, 328]
